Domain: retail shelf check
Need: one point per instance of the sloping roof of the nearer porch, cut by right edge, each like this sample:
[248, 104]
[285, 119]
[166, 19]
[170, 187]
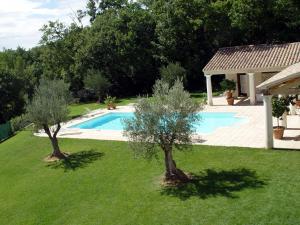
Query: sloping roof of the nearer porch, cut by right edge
[290, 73]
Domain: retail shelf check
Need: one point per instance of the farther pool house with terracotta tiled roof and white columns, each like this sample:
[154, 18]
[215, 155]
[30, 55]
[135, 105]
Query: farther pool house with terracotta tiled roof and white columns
[249, 66]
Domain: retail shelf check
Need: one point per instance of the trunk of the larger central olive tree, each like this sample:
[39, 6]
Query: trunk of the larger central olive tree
[172, 172]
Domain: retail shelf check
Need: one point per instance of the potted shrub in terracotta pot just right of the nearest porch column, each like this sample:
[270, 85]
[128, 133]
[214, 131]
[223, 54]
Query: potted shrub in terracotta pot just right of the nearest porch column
[279, 107]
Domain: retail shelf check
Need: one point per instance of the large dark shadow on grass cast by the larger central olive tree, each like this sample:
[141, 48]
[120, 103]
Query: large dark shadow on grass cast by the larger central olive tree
[213, 183]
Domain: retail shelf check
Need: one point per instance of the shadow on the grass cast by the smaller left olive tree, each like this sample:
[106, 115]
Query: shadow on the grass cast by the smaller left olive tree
[77, 160]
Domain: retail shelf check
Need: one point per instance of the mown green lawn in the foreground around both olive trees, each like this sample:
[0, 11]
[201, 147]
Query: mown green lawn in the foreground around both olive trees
[104, 184]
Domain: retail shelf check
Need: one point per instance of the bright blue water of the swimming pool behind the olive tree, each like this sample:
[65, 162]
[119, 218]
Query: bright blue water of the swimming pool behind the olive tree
[210, 121]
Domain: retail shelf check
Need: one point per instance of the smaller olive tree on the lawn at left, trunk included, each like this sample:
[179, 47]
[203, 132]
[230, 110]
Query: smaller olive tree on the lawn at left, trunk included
[49, 108]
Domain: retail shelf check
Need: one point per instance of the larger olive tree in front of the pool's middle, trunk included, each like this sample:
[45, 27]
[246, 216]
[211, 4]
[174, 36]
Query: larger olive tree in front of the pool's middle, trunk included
[164, 122]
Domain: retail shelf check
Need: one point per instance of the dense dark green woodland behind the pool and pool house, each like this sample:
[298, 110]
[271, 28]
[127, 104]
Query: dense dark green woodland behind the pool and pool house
[128, 41]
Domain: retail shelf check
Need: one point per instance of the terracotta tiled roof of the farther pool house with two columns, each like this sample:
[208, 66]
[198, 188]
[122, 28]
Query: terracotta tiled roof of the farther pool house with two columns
[253, 58]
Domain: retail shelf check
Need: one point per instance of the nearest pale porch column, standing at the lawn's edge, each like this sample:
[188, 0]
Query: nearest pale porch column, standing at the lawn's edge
[268, 121]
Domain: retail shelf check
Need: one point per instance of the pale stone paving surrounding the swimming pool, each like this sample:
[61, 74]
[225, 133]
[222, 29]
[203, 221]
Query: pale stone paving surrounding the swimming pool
[248, 134]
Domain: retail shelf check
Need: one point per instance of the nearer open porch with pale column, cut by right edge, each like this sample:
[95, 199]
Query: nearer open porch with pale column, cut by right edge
[283, 84]
